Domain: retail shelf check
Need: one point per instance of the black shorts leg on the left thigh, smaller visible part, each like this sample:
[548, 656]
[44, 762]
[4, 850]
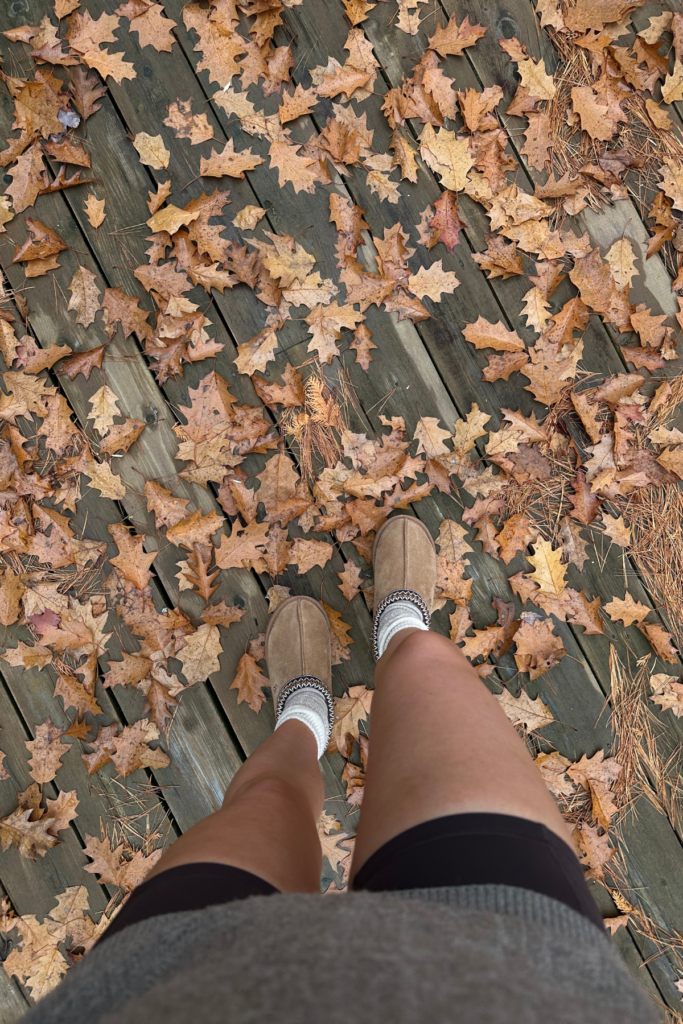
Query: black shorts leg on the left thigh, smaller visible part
[189, 887]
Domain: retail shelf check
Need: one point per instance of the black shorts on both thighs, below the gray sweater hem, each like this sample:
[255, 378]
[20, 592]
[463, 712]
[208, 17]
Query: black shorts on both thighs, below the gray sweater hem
[458, 850]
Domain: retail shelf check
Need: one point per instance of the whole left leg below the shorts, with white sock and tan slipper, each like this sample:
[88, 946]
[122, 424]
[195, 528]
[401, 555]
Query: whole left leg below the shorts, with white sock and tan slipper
[268, 824]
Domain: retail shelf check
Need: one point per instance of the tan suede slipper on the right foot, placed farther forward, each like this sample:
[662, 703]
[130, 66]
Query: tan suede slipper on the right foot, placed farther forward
[405, 565]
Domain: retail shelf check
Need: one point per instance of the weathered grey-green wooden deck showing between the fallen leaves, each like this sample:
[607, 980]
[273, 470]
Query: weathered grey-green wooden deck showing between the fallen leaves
[425, 369]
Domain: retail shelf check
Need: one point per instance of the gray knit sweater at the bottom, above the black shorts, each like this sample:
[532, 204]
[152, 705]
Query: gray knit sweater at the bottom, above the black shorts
[475, 955]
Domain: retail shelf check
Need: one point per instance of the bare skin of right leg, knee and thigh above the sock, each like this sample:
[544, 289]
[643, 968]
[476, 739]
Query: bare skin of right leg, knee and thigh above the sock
[441, 745]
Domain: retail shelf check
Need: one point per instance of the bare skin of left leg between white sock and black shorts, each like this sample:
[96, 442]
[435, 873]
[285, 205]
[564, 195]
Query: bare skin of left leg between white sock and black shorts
[268, 824]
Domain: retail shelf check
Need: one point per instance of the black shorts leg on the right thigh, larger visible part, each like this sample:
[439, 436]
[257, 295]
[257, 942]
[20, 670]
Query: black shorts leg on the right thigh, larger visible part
[481, 849]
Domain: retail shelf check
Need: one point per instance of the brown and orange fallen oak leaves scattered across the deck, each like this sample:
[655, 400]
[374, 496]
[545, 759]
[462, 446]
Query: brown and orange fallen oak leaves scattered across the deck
[552, 486]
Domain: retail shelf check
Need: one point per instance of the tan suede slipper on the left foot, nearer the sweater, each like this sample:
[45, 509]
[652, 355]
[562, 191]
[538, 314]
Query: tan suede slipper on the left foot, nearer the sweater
[298, 651]
